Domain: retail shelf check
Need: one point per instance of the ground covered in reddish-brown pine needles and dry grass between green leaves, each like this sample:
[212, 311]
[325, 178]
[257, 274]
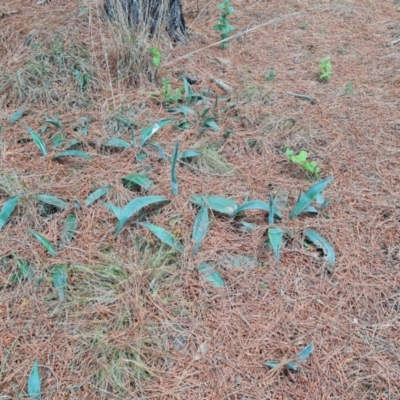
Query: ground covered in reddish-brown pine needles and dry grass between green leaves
[138, 321]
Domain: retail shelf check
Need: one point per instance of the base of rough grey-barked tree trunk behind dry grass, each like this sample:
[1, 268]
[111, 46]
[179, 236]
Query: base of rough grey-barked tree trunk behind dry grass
[149, 14]
